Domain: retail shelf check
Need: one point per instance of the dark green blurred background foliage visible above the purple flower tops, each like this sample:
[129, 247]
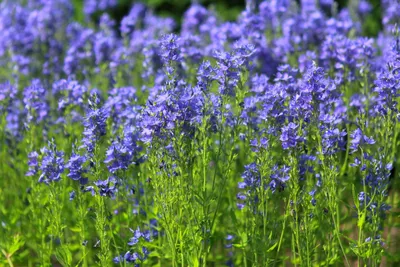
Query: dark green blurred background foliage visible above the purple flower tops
[226, 9]
